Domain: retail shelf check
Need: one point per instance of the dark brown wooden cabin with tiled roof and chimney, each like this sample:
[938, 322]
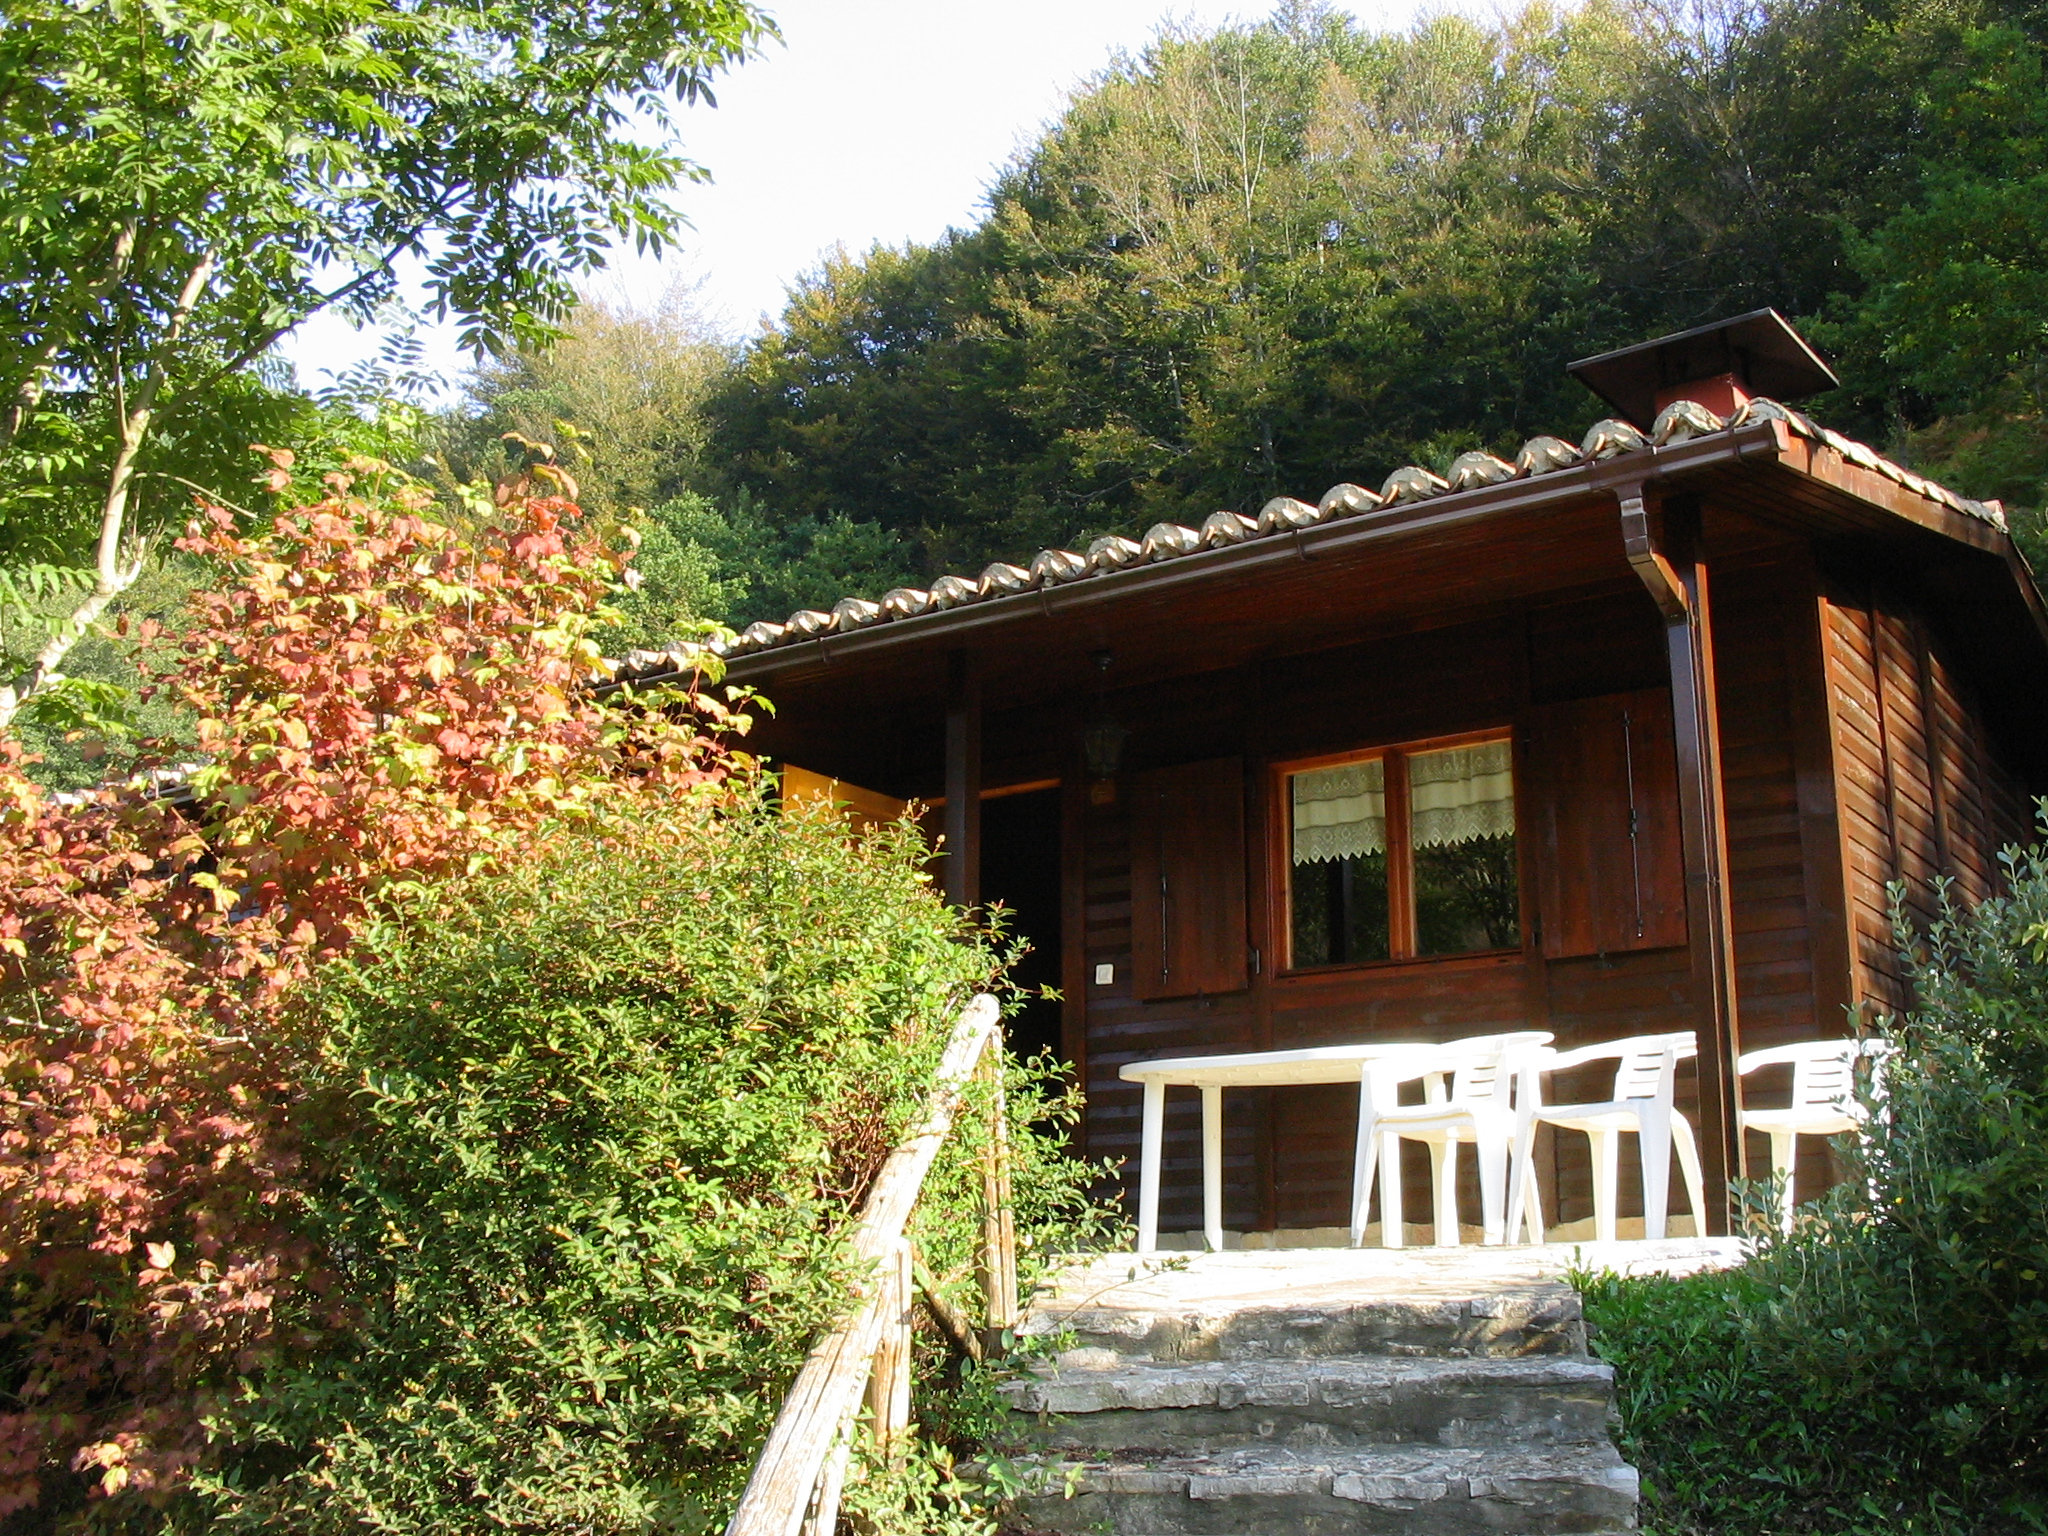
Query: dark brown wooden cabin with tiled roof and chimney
[1623, 736]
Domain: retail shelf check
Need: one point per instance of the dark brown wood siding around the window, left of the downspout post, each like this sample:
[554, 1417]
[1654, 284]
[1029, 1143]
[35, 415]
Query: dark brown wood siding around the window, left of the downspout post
[1289, 1152]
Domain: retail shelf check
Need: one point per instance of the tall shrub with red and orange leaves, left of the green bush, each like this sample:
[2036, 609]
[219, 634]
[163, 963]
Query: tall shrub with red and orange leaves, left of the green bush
[380, 701]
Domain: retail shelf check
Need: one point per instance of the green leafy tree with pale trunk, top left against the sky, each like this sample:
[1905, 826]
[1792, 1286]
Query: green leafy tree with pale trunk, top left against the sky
[185, 181]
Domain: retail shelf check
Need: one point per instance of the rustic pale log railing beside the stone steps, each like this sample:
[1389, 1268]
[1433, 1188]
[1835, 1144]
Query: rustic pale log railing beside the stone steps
[796, 1484]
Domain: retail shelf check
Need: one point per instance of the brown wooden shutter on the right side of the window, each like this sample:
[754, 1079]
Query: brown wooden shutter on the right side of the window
[1611, 873]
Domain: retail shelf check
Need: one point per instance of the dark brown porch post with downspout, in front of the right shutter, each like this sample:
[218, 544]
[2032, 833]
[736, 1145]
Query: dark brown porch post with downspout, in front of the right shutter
[1676, 581]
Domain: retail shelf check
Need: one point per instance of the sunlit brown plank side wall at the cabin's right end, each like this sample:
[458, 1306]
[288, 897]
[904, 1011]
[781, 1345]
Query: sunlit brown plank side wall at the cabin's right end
[1924, 787]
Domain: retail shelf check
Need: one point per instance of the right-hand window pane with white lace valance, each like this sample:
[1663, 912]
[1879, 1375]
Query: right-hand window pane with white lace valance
[1463, 826]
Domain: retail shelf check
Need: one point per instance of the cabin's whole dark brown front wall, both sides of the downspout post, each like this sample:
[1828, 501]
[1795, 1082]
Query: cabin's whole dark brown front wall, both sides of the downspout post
[1289, 1152]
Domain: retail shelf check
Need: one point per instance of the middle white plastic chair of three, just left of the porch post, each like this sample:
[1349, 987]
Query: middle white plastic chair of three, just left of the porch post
[1646, 1084]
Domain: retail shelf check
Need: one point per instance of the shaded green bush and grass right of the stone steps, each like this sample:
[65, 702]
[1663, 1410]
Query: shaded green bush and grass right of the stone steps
[1887, 1365]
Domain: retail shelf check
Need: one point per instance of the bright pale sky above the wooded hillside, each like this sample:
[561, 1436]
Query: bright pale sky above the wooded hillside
[871, 122]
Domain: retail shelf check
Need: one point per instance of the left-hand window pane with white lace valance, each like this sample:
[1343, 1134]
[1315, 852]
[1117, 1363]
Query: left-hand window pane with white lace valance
[1340, 863]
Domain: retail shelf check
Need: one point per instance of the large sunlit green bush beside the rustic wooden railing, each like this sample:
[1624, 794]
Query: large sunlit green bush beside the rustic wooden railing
[593, 1134]
